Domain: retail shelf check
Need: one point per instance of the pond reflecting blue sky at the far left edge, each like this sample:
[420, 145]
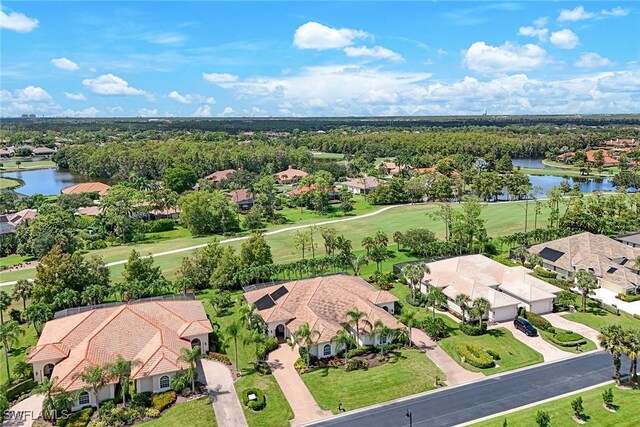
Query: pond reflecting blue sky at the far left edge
[46, 181]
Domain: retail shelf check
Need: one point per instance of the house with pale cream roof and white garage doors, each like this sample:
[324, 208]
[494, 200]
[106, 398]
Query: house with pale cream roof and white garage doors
[506, 288]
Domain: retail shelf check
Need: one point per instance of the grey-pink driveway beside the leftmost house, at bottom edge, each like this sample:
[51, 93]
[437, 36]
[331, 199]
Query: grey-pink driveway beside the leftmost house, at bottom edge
[226, 405]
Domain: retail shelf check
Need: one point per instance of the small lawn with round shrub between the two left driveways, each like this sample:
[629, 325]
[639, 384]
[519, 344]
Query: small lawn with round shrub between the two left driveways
[277, 413]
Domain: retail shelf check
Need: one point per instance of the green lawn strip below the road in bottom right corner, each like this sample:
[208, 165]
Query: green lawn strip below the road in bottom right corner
[561, 413]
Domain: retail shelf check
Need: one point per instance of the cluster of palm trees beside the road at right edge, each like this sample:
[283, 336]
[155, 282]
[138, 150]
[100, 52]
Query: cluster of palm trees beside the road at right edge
[619, 341]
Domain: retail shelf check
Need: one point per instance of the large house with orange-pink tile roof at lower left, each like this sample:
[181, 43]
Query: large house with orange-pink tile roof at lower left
[151, 332]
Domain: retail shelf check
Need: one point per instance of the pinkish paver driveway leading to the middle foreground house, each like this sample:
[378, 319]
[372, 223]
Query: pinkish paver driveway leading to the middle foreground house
[304, 406]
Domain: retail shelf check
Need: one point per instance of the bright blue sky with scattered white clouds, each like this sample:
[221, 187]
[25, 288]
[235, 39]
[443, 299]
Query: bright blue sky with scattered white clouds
[318, 58]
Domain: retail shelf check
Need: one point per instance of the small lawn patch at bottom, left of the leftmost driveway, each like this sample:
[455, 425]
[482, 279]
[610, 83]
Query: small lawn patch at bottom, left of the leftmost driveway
[195, 413]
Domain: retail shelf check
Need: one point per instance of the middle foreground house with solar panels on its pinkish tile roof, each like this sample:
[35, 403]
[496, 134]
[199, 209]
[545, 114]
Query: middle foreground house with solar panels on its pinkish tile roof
[322, 302]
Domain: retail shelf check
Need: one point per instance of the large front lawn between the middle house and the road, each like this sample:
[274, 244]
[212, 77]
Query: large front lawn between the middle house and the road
[409, 372]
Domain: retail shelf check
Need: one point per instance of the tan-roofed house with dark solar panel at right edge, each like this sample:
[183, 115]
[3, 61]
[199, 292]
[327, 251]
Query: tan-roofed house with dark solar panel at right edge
[607, 259]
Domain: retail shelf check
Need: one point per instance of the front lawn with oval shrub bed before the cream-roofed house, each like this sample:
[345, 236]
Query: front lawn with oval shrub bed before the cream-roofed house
[513, 353]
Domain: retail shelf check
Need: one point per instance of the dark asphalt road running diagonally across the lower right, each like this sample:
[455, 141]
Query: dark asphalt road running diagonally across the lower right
[452, 406]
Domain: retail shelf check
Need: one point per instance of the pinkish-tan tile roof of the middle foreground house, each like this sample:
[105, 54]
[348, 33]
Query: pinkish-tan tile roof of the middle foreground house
[323, 302]
